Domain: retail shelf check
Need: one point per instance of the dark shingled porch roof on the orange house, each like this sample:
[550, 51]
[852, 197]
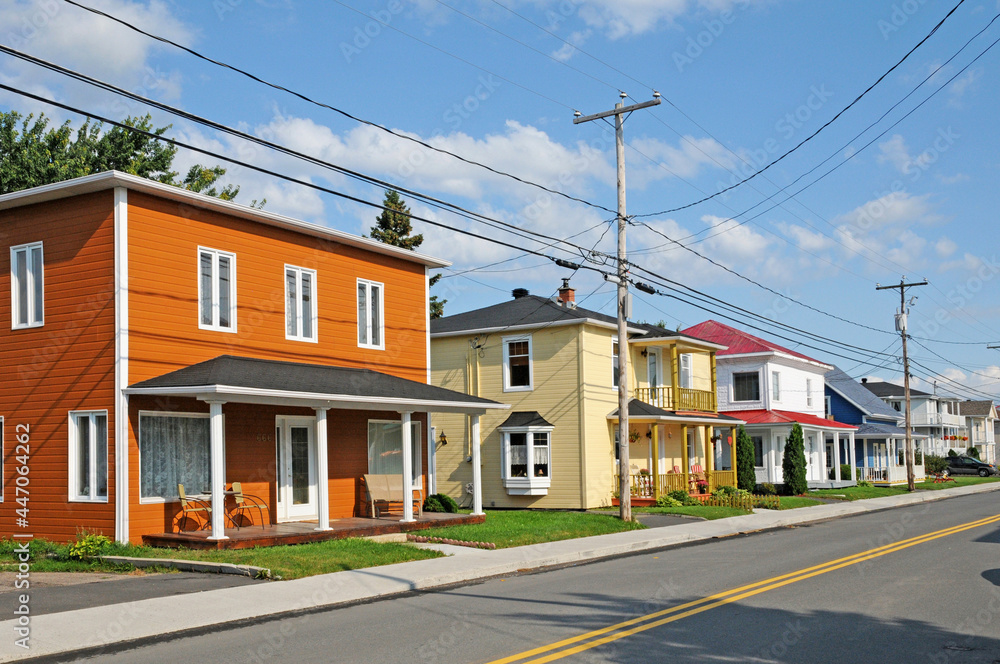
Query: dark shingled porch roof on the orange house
[296, 377]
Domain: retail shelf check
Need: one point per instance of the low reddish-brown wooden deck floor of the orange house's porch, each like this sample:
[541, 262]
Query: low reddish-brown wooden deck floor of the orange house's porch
[301, 532]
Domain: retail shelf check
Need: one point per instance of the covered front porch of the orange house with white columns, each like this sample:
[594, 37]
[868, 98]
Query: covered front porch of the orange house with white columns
[298, 436]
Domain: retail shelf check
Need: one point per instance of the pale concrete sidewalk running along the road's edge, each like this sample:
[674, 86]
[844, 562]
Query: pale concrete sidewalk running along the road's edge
[119, 623]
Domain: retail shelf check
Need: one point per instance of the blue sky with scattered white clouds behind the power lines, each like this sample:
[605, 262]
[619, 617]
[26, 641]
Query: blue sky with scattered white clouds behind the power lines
[744, 81]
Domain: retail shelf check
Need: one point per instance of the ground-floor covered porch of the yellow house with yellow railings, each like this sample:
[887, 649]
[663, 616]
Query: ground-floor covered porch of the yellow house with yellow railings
[674, 450]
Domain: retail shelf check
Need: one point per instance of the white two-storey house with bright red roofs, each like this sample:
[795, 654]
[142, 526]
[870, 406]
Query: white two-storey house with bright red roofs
[772, 388]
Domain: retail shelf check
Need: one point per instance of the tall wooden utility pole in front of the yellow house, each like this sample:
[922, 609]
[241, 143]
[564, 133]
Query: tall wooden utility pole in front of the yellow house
[624, 483]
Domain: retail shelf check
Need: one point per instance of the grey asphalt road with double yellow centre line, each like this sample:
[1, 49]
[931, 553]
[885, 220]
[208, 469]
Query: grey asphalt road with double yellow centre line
[792, 595]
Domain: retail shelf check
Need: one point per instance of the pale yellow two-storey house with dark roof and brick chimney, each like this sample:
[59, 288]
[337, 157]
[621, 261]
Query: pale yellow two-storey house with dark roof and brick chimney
[556, 364]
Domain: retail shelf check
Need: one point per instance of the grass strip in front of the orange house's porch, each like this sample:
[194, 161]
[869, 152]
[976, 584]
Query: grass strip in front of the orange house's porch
[288, 562]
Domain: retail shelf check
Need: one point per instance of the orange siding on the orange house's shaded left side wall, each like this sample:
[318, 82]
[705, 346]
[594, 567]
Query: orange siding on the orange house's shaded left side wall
[68, 364]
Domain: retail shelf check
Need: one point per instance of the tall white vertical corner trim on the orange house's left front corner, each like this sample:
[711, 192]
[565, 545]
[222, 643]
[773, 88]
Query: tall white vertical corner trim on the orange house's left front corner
[122, 488]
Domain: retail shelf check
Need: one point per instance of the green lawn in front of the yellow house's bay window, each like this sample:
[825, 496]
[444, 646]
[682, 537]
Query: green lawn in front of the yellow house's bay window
[517, 528]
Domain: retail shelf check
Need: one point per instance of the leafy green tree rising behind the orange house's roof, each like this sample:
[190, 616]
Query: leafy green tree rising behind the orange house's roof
[33, 154]
